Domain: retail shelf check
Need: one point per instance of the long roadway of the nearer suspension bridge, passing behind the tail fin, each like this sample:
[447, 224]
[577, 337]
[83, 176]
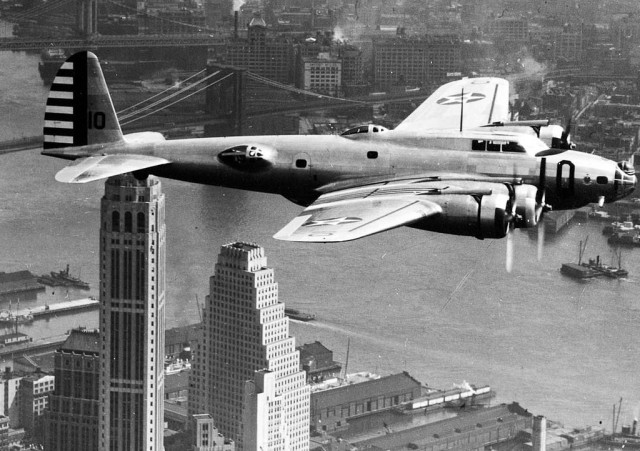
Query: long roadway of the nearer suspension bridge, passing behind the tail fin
[32, 142]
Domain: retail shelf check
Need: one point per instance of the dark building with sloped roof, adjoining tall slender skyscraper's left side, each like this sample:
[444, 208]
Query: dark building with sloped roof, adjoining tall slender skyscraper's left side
[72, 421]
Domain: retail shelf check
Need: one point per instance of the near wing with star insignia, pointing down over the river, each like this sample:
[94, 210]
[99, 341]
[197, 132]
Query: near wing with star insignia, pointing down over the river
[351, 214]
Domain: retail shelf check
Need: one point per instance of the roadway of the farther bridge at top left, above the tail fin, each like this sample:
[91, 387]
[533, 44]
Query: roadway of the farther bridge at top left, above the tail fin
[210, 39]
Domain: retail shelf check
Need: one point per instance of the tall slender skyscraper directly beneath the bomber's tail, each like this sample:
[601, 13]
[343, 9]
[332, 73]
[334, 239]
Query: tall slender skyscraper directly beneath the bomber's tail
[132, 323]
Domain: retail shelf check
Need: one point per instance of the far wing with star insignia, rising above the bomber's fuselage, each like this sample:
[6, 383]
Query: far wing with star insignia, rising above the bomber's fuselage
[467, 103]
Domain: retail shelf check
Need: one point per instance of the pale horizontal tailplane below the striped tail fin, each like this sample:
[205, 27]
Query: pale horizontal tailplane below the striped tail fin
[99, 167]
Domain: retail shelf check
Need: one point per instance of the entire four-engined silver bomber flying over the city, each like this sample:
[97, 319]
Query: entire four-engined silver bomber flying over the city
[455, 165]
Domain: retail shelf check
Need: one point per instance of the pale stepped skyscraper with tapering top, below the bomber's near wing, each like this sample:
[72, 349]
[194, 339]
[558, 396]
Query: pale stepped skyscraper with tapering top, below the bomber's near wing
[245, 330]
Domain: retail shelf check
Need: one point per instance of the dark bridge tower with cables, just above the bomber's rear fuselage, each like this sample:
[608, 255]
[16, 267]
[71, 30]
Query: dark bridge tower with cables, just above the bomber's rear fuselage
[224, 101]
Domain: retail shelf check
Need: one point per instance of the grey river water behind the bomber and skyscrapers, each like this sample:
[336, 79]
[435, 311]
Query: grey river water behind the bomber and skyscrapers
[441, 307]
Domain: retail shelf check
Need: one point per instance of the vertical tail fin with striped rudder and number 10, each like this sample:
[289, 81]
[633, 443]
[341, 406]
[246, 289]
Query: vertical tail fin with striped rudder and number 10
[79, 110]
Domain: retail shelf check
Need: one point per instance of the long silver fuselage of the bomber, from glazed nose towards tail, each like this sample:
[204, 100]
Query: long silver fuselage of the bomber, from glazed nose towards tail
[301, 173]
